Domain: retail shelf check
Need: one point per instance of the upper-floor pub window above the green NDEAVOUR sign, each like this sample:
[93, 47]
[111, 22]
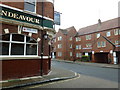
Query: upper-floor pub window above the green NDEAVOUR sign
[30, 5]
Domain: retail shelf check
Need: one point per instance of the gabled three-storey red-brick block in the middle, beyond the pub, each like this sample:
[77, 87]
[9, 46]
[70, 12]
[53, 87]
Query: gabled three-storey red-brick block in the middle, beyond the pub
[64, 44]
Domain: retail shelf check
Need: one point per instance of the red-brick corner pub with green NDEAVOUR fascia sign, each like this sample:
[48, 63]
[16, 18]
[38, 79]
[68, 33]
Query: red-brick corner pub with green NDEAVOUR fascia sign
[25, 51]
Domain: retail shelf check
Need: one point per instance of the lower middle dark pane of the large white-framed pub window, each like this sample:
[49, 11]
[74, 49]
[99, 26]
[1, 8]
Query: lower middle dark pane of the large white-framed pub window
[17, 49]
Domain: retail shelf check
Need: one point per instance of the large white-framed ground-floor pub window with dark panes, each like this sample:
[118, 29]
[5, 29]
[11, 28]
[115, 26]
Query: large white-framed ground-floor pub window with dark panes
[16, 44]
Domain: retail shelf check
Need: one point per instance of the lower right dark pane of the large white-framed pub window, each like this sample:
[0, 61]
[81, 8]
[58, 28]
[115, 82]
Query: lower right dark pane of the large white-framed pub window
[31, 49]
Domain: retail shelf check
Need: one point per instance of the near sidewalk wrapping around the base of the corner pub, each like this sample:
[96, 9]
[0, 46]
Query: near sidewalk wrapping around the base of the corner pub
[55, 75]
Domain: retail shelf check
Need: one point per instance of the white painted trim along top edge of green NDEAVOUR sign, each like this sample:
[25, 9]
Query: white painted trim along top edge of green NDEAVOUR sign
[26, 12]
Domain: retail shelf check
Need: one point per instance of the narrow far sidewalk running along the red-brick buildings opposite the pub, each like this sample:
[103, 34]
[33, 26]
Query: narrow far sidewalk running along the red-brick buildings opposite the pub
[103, 65]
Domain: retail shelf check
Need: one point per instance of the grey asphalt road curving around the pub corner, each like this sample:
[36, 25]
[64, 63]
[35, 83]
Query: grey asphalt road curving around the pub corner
[90, 77]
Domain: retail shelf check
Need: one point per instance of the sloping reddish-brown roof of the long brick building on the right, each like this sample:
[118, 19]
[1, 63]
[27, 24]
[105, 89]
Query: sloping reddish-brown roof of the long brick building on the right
[101, 26]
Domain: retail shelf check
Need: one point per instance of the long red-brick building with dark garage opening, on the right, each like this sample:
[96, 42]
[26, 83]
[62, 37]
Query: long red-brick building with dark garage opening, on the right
[101, 42]
